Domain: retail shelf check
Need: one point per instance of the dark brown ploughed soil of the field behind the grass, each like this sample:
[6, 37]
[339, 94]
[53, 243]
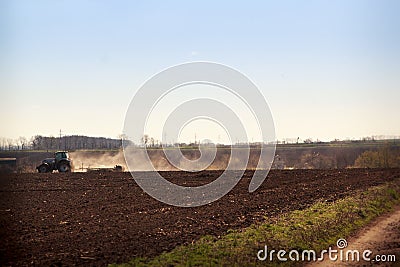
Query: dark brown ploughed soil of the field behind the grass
[100, 218]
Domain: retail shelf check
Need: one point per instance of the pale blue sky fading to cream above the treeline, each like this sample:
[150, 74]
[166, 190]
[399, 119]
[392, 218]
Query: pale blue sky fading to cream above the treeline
[328, 69]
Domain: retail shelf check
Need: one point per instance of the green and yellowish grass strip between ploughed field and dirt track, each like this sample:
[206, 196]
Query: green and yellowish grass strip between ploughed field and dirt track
[316, 227]
